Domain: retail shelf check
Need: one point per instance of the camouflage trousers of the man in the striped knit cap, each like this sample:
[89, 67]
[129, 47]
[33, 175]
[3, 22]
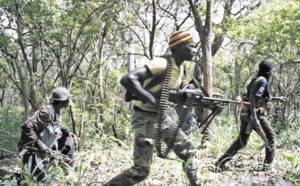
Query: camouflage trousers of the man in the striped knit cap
[143, 124]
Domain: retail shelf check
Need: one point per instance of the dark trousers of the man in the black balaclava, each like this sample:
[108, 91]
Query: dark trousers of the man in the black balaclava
[243, 139]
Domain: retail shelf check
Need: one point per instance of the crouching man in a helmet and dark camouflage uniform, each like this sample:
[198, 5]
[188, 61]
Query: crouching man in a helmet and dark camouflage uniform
[43, 137]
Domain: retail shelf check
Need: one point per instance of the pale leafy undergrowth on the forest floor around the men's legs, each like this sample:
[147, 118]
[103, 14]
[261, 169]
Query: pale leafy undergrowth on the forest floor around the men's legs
[104, 156]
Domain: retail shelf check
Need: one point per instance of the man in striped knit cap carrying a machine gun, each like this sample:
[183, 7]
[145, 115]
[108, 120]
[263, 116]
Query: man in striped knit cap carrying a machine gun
[144, 117]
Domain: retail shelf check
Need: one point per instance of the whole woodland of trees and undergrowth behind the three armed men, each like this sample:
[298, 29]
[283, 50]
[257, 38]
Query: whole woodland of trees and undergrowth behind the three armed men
[87, 46]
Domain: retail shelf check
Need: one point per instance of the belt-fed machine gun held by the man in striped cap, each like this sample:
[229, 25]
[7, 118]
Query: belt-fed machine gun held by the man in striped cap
[188, 98]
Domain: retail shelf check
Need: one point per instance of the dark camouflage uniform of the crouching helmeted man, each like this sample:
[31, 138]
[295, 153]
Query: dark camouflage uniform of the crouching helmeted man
[34, 127]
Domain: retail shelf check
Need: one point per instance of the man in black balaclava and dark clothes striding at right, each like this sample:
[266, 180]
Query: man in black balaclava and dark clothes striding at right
[254, 114]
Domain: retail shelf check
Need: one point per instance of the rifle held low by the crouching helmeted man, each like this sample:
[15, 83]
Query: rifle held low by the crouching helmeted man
[55, 154]
